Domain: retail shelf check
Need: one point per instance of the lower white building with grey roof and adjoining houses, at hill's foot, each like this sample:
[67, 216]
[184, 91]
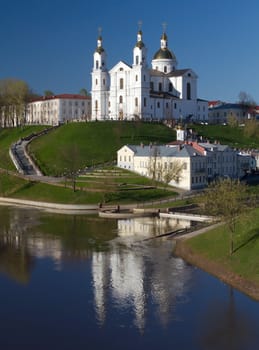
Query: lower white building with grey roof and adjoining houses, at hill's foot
[200, 163]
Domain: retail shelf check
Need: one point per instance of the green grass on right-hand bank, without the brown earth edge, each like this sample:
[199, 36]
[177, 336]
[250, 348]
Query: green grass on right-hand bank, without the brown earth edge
[214, 245]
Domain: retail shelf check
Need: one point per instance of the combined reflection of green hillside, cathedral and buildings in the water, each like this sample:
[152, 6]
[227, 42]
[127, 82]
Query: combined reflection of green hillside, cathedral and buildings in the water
[127, 269]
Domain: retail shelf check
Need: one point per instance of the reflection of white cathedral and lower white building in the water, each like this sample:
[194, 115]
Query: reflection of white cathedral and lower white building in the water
[137, 273]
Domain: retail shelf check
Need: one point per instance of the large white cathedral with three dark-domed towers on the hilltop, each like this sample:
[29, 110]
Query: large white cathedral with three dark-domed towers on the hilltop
[138, 92]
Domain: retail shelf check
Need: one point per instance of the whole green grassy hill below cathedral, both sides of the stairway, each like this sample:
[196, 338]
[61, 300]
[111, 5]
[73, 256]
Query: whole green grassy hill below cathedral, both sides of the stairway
[83, 144]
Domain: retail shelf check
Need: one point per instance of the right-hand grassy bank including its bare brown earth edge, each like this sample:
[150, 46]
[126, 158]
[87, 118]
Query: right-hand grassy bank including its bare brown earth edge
[210, 251]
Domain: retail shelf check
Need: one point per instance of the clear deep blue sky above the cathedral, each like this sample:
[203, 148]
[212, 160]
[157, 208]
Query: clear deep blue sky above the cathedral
[50, 43]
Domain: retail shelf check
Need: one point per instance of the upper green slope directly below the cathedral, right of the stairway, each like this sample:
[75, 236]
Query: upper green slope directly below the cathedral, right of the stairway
[93, 143]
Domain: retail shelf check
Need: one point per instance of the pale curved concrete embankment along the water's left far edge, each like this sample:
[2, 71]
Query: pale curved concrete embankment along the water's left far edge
[57, 207]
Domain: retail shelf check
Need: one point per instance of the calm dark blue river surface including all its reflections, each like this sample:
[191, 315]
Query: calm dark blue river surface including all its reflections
[82, 282]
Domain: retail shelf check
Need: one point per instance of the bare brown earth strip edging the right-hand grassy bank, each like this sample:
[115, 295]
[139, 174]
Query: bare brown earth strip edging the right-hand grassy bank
[221, 271]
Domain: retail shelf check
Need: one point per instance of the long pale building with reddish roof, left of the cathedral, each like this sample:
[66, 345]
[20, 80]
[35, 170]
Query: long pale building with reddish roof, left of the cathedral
[58, 109]
